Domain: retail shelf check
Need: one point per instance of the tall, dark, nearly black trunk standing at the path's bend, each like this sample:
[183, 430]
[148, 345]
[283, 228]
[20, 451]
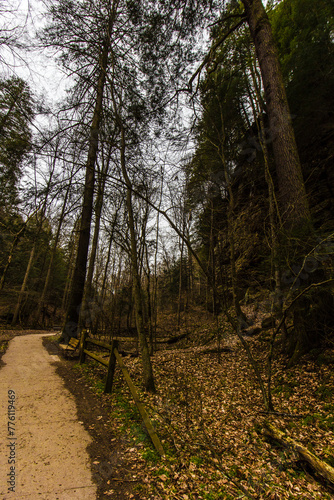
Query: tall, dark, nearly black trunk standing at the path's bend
[71, 325]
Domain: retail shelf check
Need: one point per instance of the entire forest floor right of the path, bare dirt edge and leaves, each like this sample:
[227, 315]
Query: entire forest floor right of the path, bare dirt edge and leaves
[209, 415]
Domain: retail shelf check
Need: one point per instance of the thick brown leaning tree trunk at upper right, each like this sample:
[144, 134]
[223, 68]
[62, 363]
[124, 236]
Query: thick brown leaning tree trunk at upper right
[295, 208]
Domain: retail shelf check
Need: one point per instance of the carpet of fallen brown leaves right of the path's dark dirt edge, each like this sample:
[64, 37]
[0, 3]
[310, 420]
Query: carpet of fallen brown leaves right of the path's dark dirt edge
[209, 416]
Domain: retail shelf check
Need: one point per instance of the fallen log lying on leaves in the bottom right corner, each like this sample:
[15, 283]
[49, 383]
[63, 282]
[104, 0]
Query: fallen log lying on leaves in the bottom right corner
[322, 468]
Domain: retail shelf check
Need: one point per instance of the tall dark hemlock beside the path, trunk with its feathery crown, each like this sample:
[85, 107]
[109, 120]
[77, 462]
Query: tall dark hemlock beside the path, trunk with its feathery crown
[136, 40]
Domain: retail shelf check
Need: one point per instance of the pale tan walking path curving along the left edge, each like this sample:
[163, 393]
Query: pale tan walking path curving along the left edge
[39, 433]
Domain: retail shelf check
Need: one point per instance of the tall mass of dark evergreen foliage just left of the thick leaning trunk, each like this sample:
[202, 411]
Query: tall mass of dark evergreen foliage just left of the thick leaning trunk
[226, 174]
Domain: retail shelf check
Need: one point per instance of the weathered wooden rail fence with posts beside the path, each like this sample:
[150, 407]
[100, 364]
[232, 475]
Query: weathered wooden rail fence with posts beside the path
[111, 364]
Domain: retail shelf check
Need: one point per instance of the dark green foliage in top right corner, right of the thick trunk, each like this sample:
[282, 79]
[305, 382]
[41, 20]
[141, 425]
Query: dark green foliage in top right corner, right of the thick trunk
[303, 30]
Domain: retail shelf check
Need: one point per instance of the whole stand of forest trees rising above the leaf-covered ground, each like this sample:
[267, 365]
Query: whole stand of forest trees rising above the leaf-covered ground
[186, 166]
